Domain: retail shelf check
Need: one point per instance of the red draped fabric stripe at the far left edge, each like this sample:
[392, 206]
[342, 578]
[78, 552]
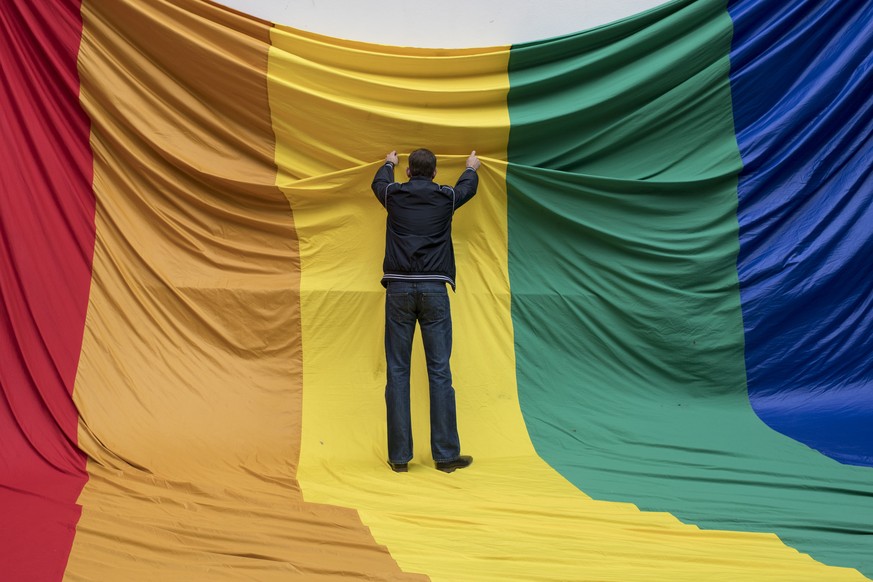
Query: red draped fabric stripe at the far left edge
[46, 248]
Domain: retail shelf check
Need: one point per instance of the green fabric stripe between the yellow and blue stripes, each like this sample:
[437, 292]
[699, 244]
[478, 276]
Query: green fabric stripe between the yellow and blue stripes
[625, 303]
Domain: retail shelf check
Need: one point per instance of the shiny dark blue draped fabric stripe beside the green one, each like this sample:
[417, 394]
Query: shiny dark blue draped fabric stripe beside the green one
[802, 81]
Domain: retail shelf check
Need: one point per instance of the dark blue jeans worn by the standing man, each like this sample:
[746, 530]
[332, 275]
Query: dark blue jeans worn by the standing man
[428, 304]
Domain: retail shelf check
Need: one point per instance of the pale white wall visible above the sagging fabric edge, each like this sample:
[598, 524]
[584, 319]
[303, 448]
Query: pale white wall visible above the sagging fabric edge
[443, 23]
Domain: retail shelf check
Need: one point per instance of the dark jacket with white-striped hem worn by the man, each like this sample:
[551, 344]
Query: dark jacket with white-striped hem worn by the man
[418, 237]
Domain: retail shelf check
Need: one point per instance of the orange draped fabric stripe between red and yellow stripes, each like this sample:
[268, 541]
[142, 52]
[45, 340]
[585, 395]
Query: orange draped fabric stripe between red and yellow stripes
[189, 386]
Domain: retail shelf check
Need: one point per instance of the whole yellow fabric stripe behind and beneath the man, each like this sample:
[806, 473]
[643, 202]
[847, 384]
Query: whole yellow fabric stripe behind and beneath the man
[337, 108]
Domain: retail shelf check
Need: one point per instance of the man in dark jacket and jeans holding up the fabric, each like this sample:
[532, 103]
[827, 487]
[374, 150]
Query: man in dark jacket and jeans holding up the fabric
[419, 261]
